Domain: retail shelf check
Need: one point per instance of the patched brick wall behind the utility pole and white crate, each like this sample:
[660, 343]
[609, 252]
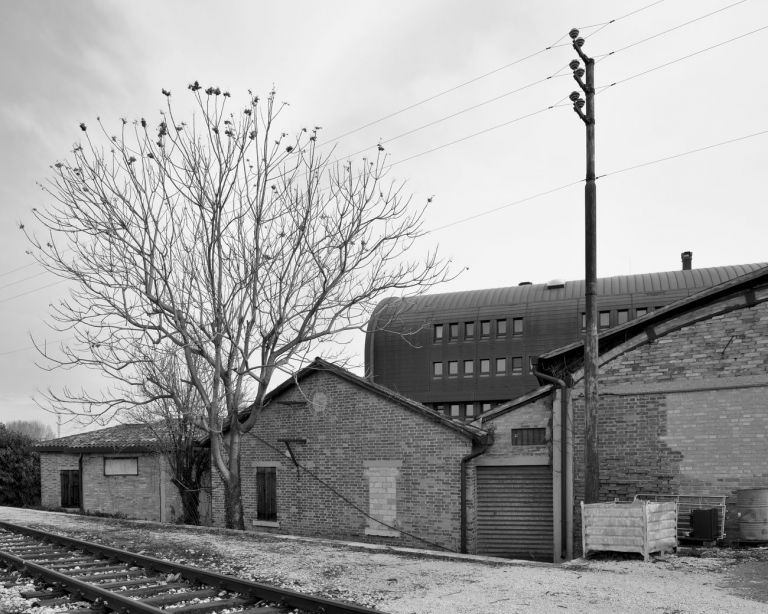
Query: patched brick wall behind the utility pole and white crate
[686, 414]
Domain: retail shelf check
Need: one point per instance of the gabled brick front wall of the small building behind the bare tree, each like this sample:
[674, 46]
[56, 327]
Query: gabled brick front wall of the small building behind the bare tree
[352, 432]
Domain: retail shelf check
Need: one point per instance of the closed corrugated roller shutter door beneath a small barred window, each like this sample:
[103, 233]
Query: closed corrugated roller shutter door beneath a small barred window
[514, 512]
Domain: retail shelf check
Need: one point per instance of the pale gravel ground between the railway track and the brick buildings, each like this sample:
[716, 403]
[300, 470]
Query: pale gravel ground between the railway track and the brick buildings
[701, 581]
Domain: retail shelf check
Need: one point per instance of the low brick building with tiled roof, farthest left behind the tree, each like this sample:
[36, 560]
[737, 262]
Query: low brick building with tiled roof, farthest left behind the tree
[116, 470]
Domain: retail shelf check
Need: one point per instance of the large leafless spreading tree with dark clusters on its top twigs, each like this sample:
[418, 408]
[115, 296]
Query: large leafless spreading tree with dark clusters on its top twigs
[237, 243]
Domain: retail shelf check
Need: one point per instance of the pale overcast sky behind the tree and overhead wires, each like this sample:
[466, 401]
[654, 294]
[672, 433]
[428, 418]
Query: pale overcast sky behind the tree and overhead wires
[344, 65]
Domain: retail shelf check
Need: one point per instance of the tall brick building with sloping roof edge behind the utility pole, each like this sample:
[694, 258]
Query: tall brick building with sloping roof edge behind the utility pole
[683, 400]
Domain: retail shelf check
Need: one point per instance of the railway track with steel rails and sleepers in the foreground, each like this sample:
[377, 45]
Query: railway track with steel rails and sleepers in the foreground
[113, 580]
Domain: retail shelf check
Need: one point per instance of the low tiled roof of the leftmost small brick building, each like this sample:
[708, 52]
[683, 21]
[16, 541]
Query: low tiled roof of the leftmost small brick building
[123, 437]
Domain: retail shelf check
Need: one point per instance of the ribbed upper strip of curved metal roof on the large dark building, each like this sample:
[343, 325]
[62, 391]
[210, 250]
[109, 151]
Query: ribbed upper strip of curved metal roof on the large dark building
[692, 280]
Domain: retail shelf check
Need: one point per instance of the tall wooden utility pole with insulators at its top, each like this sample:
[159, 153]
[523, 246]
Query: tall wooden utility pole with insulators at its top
[591, 461]
